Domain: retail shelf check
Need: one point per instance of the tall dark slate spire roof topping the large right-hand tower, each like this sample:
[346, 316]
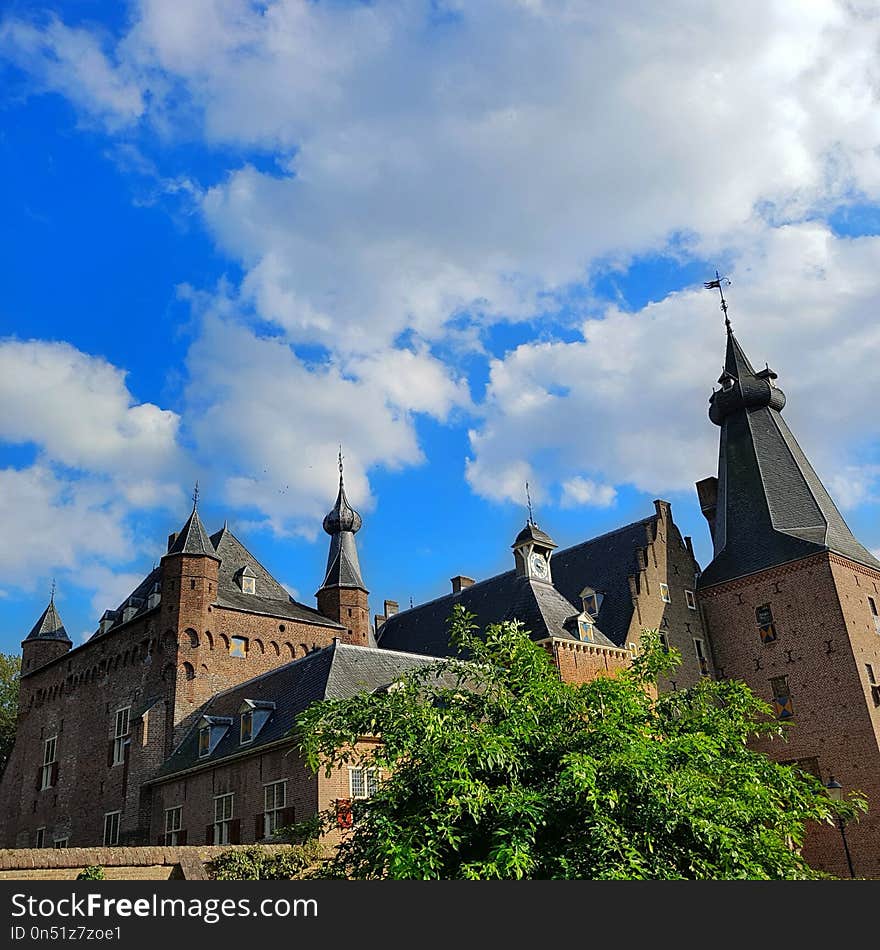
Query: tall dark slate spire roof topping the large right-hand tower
[772, 507]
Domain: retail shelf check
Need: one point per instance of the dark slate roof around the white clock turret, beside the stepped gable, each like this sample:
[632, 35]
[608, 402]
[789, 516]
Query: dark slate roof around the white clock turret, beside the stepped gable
[604, 563]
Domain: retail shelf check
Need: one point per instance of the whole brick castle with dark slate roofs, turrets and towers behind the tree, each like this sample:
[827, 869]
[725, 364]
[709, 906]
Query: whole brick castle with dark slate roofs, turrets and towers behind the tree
[170, 724]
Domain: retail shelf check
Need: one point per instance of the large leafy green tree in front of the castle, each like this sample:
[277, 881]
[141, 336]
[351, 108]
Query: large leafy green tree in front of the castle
[493, 768]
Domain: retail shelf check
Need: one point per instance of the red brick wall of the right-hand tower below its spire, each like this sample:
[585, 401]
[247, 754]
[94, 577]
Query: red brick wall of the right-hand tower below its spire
[825, 635]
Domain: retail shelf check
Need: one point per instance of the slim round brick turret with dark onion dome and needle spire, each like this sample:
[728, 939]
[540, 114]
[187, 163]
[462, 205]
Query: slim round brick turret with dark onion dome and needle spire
[343, 595]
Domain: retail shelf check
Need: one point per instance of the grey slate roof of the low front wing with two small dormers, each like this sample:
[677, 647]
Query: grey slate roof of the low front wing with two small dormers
[336, 672]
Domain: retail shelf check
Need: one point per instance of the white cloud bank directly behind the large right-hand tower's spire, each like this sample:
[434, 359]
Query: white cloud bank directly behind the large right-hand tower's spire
[627, 402]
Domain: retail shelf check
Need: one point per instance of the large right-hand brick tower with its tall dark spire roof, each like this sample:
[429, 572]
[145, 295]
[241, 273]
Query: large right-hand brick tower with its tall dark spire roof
[791, 599]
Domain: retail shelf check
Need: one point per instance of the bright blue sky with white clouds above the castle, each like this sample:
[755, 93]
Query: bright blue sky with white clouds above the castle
[466, 241]
